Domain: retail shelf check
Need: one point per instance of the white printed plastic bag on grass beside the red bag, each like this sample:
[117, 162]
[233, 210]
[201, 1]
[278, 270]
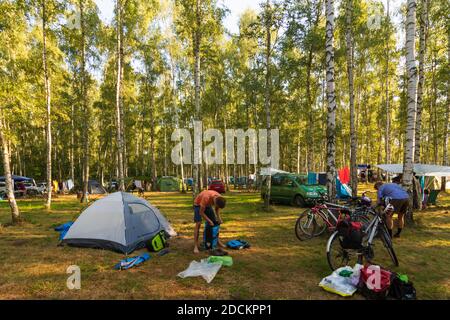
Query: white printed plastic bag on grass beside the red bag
[345, 284]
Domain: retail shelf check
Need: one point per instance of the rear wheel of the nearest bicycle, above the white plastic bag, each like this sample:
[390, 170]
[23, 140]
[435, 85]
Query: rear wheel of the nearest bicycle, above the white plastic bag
[337, 256]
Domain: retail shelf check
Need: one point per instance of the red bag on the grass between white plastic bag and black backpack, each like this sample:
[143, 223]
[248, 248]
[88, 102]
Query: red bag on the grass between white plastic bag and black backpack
[368, 285]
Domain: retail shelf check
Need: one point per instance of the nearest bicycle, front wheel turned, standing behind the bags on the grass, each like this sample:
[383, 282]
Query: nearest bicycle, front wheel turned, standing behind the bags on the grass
[338, 256]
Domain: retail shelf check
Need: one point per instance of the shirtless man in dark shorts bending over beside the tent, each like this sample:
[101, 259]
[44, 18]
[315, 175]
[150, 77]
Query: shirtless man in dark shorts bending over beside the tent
[203, 209]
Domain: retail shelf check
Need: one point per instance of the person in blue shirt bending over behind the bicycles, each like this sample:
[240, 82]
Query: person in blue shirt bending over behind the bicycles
[400, 201]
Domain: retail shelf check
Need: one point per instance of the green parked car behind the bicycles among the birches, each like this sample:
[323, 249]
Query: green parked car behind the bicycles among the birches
[292, 189]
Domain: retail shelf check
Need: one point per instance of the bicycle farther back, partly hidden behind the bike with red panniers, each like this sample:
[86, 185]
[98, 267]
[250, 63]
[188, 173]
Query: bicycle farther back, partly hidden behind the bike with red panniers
[314, 221]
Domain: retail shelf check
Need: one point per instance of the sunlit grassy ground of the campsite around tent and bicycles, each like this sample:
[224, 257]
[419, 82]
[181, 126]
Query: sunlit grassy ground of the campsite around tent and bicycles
[278, 266]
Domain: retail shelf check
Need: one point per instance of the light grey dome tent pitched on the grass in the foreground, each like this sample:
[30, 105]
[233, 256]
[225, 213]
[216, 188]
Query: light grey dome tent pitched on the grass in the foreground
[120, 222]
